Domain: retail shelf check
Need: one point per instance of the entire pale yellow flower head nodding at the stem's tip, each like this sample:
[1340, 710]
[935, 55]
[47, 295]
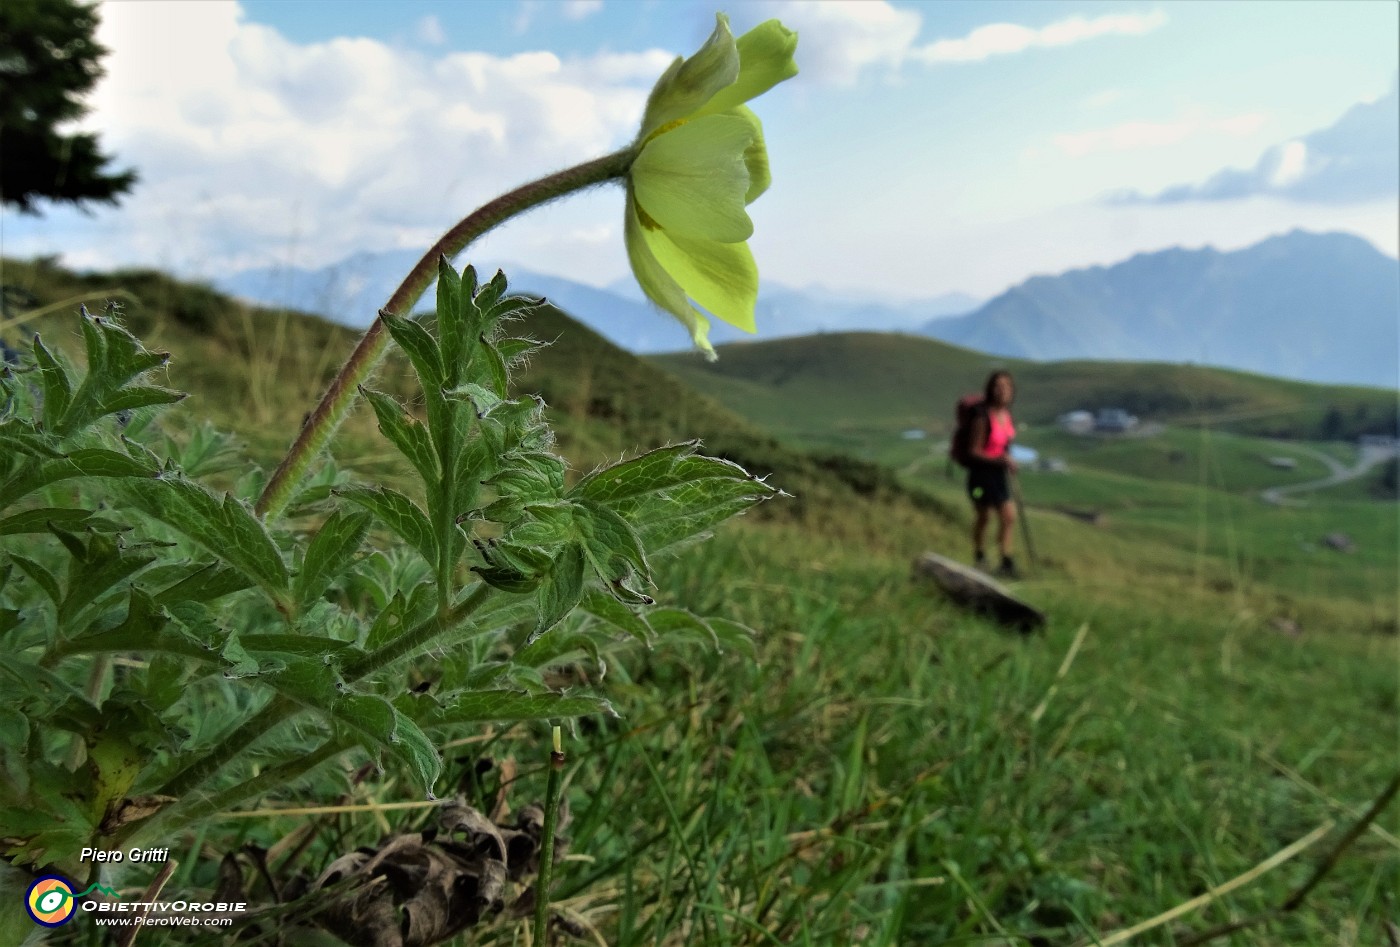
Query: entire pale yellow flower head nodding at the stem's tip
[702, 162]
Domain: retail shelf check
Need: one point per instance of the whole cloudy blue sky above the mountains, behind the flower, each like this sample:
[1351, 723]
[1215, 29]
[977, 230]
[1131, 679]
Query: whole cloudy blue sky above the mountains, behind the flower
[923, 149]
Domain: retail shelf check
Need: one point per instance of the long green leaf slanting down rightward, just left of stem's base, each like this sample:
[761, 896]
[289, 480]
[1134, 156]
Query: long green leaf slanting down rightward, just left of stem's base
[226, 527]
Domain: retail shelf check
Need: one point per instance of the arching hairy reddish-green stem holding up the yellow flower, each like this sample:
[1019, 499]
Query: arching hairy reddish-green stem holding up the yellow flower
[335, 406]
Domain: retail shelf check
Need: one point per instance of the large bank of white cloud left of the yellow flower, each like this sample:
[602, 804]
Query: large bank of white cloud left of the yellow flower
[248, 144]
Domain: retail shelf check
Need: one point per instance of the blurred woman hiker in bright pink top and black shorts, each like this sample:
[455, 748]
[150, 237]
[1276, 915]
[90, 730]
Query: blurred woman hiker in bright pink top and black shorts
[990, 469]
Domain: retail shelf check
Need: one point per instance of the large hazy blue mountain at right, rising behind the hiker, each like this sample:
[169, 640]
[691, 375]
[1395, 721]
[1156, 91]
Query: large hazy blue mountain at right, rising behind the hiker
[1315, 307]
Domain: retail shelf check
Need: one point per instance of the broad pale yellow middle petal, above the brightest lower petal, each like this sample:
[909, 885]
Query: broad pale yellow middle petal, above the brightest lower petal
[694, 179]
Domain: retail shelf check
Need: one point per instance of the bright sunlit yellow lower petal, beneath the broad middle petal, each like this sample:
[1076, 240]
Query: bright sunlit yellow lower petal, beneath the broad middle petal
[723, 278]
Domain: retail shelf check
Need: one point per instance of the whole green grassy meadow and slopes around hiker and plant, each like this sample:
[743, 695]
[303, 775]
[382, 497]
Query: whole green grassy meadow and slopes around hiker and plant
[1184, 750]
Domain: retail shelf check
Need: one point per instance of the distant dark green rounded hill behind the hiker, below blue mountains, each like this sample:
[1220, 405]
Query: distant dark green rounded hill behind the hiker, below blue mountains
[842, 390]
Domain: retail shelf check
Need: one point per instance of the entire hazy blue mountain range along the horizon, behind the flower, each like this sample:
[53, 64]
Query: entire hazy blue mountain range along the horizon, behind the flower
[1315, 307]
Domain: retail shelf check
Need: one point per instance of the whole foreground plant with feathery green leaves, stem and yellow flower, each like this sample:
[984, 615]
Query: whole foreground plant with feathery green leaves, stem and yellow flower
[181, 637]
